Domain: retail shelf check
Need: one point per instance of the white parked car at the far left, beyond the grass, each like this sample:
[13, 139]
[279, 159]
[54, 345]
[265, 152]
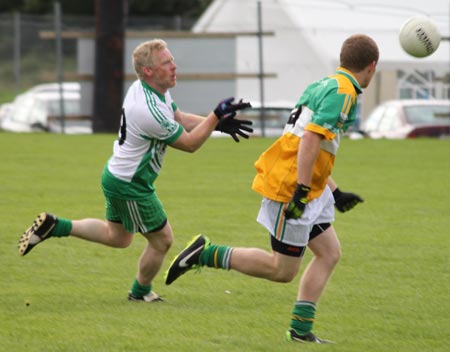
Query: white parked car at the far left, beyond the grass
[39, 109]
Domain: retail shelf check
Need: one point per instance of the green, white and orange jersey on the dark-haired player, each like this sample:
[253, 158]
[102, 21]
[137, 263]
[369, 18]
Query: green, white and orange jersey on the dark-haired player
[327, 107]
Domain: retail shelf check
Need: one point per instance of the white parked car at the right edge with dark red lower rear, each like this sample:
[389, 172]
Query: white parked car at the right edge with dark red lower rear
[397, 119]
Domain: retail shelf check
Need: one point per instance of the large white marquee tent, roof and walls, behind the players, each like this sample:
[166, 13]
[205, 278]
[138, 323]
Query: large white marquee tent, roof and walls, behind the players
[308, 35]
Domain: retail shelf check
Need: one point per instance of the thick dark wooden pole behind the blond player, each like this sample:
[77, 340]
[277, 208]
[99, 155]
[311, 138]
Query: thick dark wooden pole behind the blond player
[110, 17]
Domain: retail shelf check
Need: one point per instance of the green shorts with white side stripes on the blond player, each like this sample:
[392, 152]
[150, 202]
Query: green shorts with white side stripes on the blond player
[143, 215]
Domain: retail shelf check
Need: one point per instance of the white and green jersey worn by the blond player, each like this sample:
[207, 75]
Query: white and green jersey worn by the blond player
[147, 127]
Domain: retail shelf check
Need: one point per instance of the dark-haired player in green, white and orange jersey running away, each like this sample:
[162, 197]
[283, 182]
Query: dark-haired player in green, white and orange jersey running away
[294, 178]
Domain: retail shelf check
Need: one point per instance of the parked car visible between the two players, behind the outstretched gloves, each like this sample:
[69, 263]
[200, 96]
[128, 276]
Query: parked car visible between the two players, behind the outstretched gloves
[276, 114]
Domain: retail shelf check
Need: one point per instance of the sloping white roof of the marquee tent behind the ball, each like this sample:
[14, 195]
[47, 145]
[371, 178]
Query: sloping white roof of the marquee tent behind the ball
[326, 23]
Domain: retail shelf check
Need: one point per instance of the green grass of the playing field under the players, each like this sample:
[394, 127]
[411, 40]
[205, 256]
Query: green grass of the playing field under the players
[389, 293]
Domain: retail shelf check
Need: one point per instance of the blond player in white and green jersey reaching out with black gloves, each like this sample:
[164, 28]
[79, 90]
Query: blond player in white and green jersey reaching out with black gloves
[150, 122]
